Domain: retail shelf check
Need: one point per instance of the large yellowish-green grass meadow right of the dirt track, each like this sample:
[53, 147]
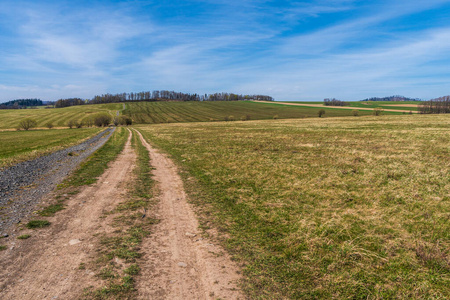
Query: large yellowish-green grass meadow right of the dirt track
[353, 208]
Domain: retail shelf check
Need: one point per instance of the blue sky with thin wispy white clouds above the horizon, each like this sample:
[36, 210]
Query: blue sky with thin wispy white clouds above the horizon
[291, 50]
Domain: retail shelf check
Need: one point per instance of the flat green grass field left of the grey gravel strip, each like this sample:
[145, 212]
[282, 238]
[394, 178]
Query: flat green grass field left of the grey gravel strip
[17, 146]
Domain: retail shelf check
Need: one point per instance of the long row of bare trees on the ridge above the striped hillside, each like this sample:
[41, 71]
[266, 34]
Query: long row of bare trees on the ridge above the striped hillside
[159, 96]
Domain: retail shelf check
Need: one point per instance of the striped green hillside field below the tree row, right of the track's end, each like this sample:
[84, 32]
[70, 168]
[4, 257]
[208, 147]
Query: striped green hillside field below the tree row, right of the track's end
[175, 112]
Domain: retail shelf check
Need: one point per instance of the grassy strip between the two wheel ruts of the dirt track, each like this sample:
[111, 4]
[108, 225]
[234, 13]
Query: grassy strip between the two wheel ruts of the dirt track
[119, 251]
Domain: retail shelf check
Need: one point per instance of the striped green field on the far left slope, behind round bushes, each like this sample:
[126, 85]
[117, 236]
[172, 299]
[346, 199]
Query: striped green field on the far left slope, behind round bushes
[9, 118]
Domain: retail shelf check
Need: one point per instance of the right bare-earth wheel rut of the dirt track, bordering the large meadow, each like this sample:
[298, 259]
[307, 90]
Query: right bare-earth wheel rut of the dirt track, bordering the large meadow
[179, 263]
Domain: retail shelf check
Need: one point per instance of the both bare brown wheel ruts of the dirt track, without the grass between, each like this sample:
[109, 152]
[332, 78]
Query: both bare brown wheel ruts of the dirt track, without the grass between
[177, 263]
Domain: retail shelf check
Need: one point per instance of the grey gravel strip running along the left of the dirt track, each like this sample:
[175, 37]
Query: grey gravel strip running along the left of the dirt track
[22, 186]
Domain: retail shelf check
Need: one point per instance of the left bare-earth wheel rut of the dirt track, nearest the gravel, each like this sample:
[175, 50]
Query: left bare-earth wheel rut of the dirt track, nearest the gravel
[46, 266]
